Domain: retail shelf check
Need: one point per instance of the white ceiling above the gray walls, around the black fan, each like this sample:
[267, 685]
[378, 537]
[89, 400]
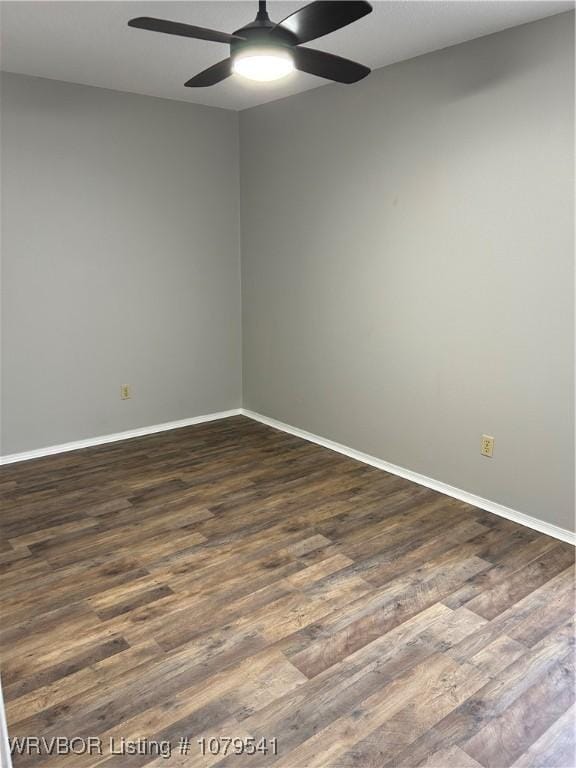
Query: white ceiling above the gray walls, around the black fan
[89, 42]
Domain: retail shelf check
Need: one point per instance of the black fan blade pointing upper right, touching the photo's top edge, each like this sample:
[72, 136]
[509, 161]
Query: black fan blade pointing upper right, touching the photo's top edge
[324, 16]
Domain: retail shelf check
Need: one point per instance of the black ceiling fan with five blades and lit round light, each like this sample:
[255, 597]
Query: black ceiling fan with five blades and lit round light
[264, 50]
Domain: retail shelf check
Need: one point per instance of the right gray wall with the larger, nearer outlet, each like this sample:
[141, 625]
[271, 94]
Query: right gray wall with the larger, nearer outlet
[408, 280]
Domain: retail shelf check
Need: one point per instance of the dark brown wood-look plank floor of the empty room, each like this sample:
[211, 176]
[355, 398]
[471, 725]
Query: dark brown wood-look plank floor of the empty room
[231, 580]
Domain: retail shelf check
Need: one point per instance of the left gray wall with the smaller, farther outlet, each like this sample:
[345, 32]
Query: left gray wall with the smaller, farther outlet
[120, 261]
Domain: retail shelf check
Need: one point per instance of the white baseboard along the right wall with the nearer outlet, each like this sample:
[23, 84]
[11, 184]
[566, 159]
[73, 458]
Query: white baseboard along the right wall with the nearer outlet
[477, 501]
